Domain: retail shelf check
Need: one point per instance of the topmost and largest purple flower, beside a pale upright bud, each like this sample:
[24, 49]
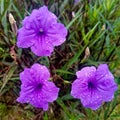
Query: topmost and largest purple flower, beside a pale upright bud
[41, 32]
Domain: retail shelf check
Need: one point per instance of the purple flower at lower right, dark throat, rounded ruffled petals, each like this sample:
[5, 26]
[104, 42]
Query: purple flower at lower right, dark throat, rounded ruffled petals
[93, 86]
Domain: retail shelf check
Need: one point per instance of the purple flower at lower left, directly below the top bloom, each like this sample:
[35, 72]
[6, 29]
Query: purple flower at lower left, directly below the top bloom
[35, 88]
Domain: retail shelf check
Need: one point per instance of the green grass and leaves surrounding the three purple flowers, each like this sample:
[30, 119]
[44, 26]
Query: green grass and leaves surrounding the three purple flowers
[91, 23]
